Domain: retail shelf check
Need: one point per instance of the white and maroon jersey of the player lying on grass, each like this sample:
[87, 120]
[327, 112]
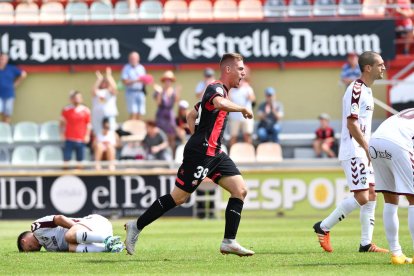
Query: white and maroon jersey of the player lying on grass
[49, 235]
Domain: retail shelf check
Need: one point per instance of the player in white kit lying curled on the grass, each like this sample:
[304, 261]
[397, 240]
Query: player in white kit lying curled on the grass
[58, 233]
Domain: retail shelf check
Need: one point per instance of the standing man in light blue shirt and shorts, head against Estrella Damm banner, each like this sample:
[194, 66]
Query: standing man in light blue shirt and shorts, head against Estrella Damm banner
[133, 75]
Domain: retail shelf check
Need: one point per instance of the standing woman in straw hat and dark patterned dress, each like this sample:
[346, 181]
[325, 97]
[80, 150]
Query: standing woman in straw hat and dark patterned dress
[166, 95]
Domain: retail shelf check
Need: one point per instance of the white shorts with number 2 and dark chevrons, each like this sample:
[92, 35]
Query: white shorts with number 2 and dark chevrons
[358, 174]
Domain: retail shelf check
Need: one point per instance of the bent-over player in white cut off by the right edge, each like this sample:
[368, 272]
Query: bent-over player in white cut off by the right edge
[392, 155]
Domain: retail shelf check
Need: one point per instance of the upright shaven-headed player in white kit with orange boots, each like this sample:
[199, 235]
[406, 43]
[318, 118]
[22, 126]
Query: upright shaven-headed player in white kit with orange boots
[357, 110]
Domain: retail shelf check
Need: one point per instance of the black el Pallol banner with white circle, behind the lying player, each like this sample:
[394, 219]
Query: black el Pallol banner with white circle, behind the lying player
[110, 196]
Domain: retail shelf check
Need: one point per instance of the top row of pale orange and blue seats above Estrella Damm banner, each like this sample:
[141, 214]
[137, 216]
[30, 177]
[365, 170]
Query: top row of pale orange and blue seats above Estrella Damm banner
[49, 11]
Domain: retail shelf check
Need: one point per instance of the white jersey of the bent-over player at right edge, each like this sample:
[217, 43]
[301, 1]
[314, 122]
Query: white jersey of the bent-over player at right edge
[398, 129]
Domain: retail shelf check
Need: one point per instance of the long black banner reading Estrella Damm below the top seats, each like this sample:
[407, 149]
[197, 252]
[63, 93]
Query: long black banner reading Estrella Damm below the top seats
[196, 43]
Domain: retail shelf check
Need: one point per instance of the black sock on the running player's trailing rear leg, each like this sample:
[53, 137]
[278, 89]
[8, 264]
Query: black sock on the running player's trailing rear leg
[156, 210]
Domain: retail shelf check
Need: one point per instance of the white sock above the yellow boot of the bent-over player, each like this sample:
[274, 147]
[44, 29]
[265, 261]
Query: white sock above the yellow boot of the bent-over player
[391, 225]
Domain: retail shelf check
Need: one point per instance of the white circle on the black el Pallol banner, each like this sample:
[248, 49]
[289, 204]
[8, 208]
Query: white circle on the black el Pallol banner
[68, 194]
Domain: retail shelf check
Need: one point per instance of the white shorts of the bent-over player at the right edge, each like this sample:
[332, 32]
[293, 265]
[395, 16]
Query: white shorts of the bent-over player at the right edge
[394, 167]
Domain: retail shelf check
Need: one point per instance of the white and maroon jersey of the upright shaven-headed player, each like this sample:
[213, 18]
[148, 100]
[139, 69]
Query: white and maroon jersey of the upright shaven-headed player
[357, 103]
